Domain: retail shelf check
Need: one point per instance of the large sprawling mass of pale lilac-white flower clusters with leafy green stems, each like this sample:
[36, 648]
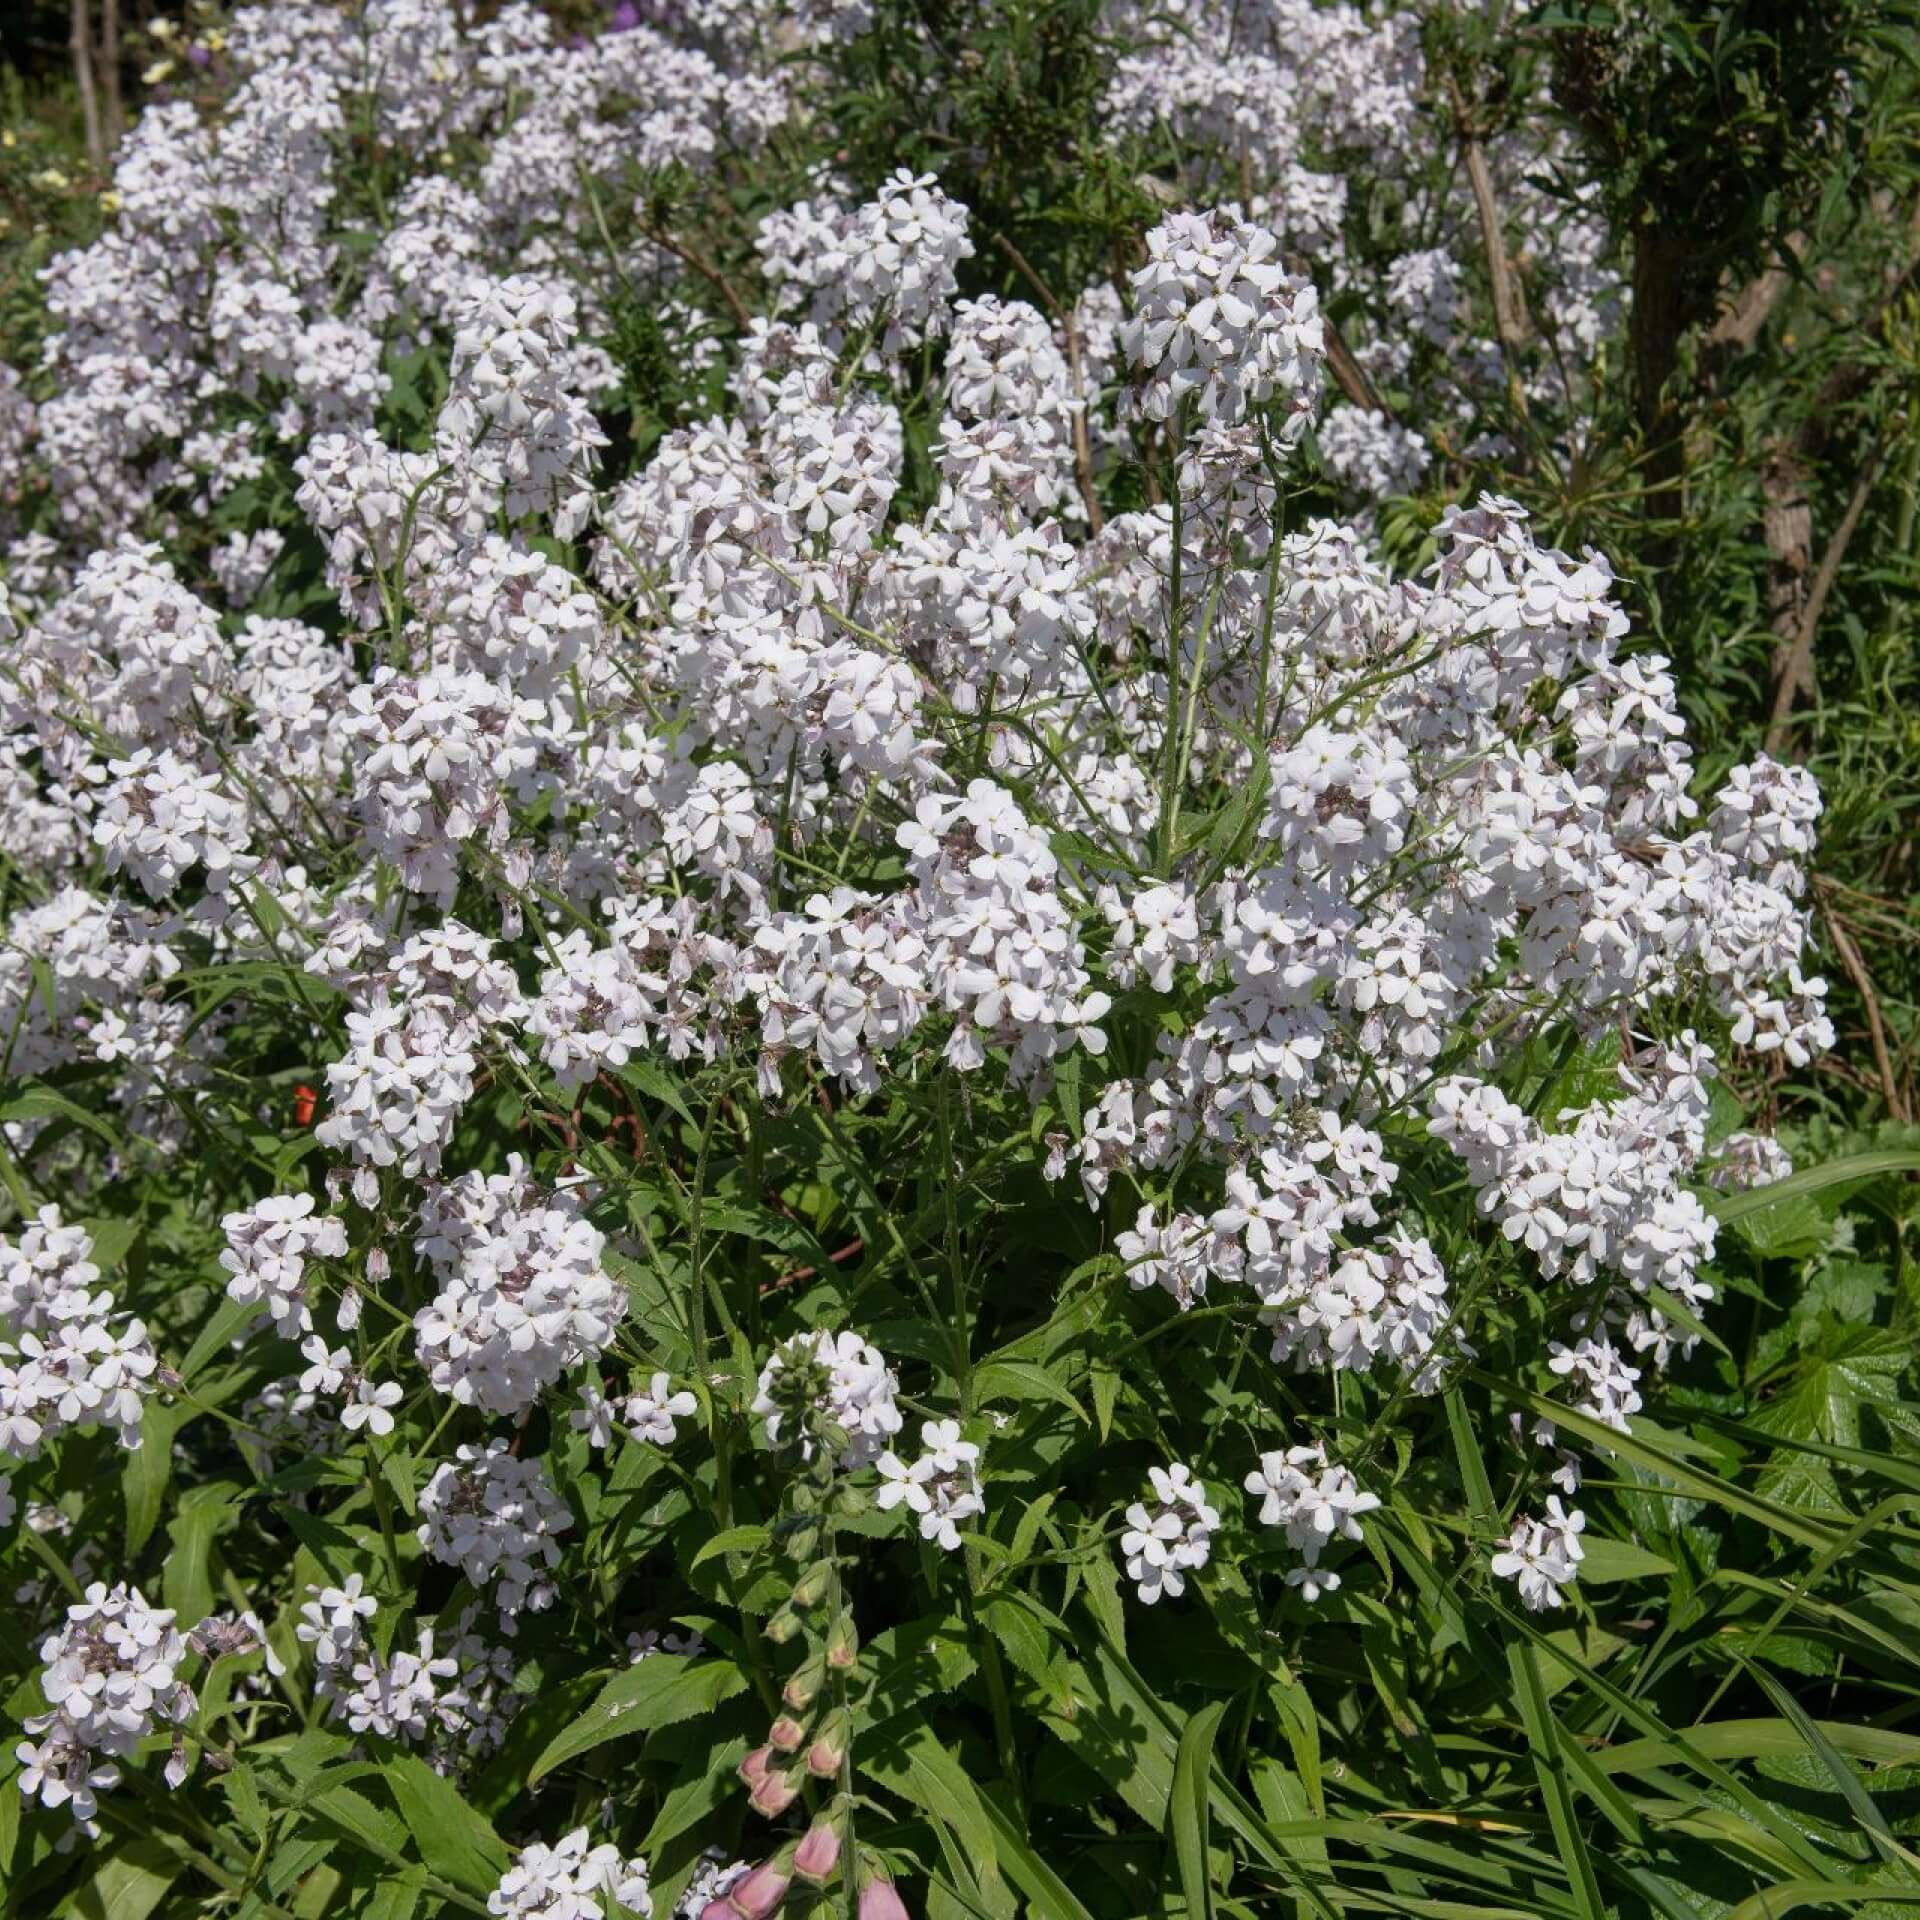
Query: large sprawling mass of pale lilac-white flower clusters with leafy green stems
[533, 738]
